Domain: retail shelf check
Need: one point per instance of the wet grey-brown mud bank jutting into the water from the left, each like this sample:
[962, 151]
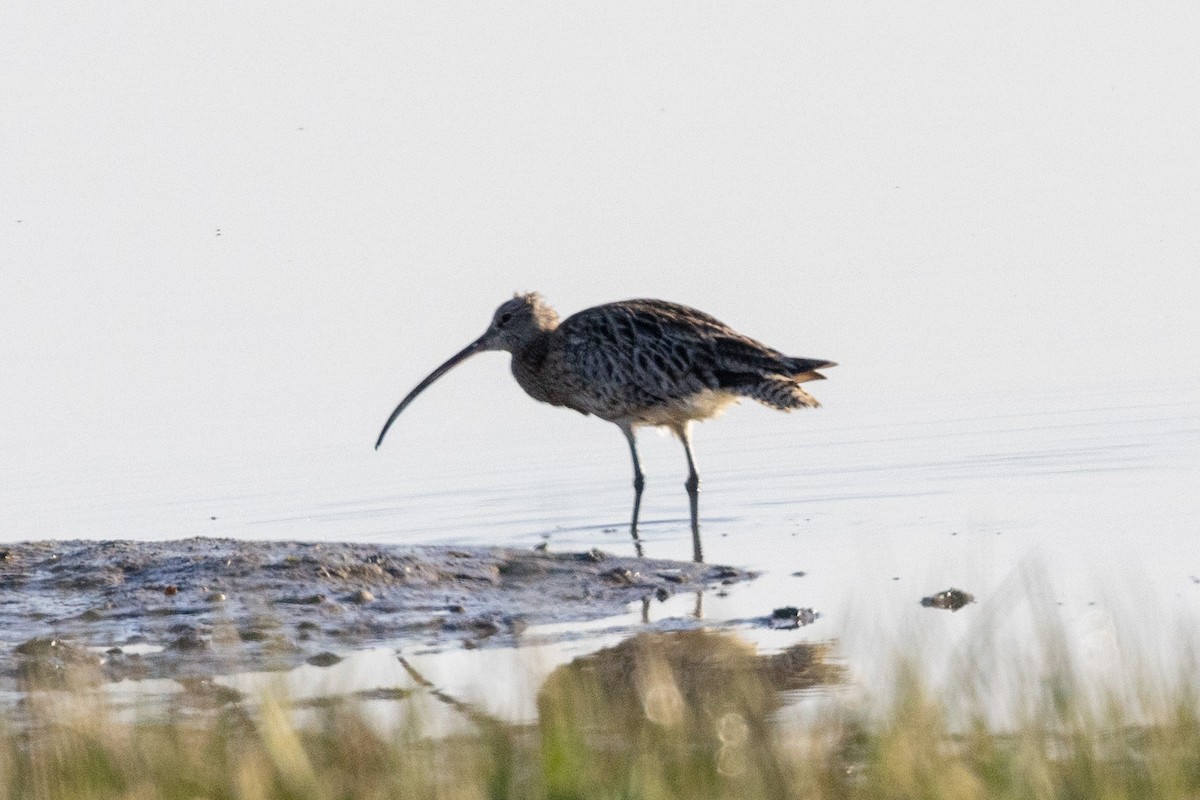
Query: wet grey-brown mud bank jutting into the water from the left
[199, 607]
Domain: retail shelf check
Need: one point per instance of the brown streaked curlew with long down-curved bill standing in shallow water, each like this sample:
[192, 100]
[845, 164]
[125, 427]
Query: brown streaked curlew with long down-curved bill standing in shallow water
[638, 364]
